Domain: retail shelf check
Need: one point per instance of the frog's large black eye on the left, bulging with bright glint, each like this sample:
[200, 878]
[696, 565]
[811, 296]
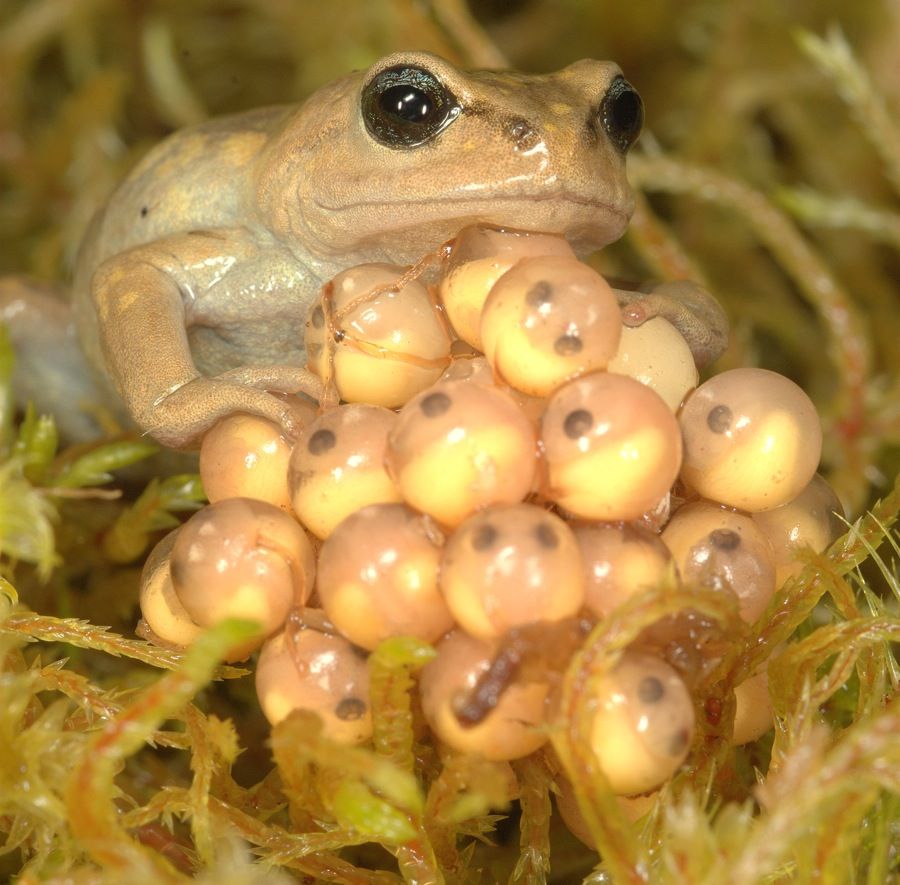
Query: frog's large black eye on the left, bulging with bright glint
[405, 106]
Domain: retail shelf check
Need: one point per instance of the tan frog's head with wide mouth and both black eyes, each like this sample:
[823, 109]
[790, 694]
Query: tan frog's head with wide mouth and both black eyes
[391, 162]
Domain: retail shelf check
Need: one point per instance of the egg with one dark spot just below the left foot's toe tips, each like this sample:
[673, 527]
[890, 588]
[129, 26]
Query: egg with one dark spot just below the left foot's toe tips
[337, 466]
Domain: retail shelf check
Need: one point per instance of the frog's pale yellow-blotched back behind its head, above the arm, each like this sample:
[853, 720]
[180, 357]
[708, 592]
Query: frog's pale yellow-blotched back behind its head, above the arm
[197, 179]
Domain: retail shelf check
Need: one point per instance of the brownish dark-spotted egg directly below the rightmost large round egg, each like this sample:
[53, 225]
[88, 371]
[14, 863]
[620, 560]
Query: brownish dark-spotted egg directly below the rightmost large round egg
[724, 550]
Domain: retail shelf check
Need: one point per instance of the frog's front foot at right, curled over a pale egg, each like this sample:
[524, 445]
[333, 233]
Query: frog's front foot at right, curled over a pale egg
[687, 306]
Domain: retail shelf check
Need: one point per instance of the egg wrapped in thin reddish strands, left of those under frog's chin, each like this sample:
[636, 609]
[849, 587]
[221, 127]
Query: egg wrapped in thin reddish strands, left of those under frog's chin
[377, 348]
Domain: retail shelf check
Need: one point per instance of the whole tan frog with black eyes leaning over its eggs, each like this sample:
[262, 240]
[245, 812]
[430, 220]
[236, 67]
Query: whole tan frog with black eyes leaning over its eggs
[193, 284]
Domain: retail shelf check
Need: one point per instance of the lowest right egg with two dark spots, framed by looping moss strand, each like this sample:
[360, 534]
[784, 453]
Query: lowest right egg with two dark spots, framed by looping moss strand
[643, 723]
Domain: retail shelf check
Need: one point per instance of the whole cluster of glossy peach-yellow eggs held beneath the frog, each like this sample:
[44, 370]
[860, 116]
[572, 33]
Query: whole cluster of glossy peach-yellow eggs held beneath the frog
[493, 452]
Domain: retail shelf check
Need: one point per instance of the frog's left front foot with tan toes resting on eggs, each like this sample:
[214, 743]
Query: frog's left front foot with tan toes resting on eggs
[180, 417]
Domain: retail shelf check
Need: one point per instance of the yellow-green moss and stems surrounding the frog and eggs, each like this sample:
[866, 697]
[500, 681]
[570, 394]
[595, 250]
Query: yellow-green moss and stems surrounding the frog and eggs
[769, 170]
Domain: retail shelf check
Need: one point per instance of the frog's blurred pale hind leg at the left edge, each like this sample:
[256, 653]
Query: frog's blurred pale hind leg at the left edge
[50, 369]
